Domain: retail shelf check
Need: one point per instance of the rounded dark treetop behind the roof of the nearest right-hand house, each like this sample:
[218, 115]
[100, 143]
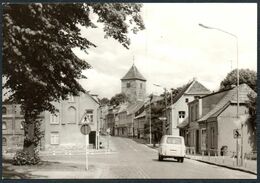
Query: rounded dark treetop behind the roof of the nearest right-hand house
[245, 76]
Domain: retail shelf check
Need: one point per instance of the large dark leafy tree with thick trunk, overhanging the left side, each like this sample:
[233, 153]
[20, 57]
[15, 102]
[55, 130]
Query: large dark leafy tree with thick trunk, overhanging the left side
[38, 62]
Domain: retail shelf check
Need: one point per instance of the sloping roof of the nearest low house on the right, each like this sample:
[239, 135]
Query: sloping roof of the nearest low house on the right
[230, 96]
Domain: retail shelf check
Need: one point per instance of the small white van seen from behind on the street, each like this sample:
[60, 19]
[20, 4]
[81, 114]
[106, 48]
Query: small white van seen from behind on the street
[172, 147]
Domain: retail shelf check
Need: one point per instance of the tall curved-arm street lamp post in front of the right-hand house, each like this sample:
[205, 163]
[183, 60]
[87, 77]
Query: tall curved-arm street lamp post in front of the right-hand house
[237, 115]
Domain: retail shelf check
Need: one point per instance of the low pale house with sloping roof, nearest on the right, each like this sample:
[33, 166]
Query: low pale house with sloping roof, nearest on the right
[213, 119]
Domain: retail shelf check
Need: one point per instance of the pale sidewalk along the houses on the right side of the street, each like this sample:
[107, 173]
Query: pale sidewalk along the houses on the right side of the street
[249, 166]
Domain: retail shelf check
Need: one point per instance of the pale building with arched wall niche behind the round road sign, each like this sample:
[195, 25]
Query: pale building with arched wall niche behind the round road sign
[63, 129]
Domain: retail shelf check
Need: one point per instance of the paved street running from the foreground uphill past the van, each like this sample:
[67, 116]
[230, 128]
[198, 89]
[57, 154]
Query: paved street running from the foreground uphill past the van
[133, 160]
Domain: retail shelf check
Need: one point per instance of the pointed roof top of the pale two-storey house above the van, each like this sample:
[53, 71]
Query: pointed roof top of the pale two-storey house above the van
[193, 87]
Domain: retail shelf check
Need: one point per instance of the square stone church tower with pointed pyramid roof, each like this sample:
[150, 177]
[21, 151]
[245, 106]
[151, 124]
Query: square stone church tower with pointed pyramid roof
[133, 84]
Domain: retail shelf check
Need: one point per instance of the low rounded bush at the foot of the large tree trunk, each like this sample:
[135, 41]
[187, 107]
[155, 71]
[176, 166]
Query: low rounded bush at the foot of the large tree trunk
[22, 157]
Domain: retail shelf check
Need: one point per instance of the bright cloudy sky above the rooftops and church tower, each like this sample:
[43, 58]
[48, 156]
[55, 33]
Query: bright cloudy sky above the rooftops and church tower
[174, 49]
